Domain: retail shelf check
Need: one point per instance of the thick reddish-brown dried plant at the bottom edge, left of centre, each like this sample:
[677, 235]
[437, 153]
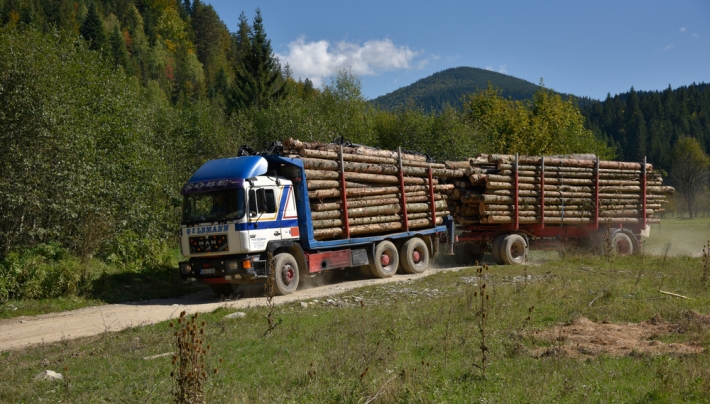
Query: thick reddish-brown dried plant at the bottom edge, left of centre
[189, 360]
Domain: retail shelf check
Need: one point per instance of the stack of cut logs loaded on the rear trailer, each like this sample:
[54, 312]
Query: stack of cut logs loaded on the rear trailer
[485, 195]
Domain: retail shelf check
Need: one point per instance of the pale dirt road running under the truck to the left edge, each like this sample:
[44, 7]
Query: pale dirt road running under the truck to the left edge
[20, 332]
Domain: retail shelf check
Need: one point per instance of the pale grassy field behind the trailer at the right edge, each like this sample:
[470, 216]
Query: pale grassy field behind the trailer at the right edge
[686, 236]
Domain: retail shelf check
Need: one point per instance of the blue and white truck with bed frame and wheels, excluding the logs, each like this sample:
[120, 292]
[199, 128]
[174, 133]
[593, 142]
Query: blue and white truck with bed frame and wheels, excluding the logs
[246, 218]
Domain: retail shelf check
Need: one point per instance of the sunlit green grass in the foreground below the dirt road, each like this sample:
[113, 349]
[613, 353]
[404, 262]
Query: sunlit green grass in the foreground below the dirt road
[414, 341]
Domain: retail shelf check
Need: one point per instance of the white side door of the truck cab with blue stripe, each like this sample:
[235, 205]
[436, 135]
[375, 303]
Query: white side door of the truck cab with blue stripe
[264, 224]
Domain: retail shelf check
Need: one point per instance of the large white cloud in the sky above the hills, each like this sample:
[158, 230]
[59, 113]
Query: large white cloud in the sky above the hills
[318, 59]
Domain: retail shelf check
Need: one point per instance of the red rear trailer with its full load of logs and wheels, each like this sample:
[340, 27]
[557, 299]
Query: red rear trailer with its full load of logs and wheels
[610, 212]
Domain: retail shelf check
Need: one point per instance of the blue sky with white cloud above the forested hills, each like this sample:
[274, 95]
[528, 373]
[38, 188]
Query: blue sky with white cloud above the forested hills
[586, 48]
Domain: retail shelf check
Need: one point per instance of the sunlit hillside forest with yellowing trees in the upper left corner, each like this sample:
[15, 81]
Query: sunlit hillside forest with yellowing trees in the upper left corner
[182, 47]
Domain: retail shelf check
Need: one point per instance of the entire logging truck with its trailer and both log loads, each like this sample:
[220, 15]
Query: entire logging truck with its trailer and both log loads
[312, 208]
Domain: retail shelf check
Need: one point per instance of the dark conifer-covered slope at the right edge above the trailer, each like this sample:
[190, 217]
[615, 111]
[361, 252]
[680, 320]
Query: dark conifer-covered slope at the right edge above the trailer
[650, 123]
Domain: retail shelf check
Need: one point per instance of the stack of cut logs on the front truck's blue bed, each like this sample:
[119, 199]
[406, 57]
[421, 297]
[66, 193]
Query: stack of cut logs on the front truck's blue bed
[380, 187]
